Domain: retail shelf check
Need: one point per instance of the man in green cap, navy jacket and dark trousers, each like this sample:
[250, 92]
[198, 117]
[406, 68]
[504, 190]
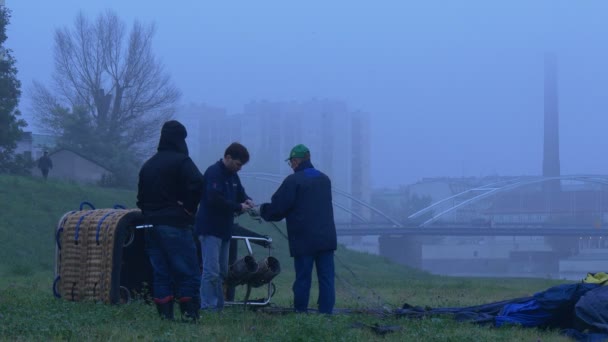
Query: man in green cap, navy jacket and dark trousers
[304, 200]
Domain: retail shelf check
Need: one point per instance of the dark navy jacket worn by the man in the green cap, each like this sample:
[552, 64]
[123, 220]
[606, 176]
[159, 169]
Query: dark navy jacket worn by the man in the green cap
[304, 199]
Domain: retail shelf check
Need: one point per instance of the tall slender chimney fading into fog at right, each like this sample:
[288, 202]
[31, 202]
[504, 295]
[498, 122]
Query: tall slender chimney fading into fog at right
[551, 165]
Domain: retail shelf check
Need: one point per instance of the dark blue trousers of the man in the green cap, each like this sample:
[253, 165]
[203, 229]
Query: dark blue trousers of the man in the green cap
[324, 262]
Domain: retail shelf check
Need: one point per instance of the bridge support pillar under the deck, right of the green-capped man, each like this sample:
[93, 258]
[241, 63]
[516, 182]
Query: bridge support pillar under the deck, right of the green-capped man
[402, 249]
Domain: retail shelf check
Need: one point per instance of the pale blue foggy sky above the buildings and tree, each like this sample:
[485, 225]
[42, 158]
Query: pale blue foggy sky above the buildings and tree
[454, 88]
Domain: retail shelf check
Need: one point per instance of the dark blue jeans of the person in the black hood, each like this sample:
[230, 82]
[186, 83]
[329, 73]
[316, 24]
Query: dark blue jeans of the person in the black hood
[172, 253]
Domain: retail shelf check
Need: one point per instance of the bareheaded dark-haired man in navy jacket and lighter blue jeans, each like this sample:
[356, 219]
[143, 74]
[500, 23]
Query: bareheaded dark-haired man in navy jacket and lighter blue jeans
[223, 198]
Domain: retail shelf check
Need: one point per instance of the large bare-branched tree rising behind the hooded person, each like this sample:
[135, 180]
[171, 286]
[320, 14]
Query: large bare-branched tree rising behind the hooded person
[113, 77]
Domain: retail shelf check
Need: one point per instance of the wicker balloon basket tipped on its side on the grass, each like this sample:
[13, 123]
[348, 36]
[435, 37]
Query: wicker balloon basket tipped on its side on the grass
[100, 255]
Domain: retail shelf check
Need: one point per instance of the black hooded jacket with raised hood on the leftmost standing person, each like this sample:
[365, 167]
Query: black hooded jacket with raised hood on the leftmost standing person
[170, 185]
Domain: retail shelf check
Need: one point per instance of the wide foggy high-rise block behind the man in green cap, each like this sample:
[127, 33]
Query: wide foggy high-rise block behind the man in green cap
[338, 138]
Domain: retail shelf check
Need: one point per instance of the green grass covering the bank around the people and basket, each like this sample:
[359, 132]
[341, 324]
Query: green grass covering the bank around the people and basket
[28, 310]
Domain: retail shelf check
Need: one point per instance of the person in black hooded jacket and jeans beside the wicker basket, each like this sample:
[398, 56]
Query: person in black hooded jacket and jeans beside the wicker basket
[169, 189]
